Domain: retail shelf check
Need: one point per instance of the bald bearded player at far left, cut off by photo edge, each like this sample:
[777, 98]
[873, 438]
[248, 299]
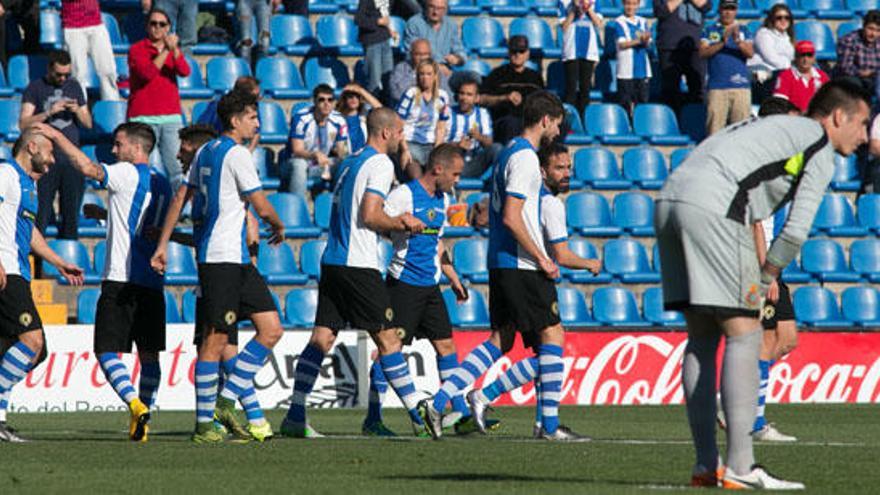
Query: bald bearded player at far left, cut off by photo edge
[19, 320]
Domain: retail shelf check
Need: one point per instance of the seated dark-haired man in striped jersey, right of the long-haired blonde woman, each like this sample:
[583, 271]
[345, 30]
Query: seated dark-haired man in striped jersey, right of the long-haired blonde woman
[471, 129]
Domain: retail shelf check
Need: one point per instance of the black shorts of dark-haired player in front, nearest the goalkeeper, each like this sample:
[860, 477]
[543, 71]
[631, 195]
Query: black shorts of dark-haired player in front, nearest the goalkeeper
[524, 300]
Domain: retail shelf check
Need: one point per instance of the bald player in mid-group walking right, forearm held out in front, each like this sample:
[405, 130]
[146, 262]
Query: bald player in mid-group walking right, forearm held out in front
[351, 290]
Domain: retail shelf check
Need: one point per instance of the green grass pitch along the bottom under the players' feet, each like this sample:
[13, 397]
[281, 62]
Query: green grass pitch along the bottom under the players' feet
[635, 450]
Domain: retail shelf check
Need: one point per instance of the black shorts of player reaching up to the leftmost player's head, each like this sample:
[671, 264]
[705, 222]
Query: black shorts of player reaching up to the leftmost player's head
[126, 314]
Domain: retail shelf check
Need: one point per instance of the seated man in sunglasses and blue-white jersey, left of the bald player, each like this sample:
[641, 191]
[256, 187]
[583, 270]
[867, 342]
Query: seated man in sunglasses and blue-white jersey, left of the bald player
[318, 137]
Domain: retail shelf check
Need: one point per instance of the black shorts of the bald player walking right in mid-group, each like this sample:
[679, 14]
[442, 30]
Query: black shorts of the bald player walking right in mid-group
[353, 296]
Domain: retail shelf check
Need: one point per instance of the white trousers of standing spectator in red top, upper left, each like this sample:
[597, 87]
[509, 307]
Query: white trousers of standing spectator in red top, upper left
[93, 42]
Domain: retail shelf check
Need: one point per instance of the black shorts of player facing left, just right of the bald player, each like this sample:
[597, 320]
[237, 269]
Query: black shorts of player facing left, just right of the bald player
[419, 311]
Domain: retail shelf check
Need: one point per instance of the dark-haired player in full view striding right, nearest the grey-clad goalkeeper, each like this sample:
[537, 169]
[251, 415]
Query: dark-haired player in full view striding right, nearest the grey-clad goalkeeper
[522, 295]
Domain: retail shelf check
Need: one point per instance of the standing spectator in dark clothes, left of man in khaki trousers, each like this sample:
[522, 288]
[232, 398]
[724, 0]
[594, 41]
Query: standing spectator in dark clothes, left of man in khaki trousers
[679, 25]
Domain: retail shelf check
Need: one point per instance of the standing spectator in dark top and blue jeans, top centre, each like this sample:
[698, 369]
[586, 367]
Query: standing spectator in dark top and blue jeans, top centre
[373, 19]
